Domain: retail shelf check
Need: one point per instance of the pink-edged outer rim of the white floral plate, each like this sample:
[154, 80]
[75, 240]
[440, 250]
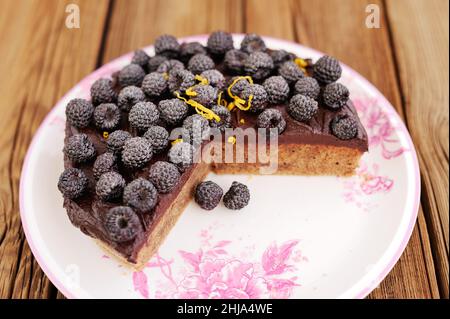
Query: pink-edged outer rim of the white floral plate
[101, 72]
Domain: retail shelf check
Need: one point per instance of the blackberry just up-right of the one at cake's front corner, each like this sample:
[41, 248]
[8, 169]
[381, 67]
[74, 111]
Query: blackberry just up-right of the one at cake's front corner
[140, 195]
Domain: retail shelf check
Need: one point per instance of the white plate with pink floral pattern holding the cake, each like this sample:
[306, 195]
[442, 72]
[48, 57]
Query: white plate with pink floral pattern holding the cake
[300, 237]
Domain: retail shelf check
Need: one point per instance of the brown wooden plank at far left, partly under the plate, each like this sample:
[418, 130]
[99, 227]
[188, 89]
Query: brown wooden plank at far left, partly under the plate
[43, 60]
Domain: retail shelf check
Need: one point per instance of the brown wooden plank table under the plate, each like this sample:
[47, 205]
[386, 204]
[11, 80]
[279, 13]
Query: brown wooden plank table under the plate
[407, 58]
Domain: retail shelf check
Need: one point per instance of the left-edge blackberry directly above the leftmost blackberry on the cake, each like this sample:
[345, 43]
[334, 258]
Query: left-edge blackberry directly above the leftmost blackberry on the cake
[79, 148]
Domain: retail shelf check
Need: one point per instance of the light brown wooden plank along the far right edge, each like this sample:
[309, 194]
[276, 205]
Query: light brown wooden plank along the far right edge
[421, 35]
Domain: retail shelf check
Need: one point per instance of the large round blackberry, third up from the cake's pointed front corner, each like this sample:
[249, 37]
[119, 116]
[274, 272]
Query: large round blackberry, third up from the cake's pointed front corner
[136, 152]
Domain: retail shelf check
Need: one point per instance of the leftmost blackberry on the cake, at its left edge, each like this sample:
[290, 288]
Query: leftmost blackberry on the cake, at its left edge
[72, 183]
